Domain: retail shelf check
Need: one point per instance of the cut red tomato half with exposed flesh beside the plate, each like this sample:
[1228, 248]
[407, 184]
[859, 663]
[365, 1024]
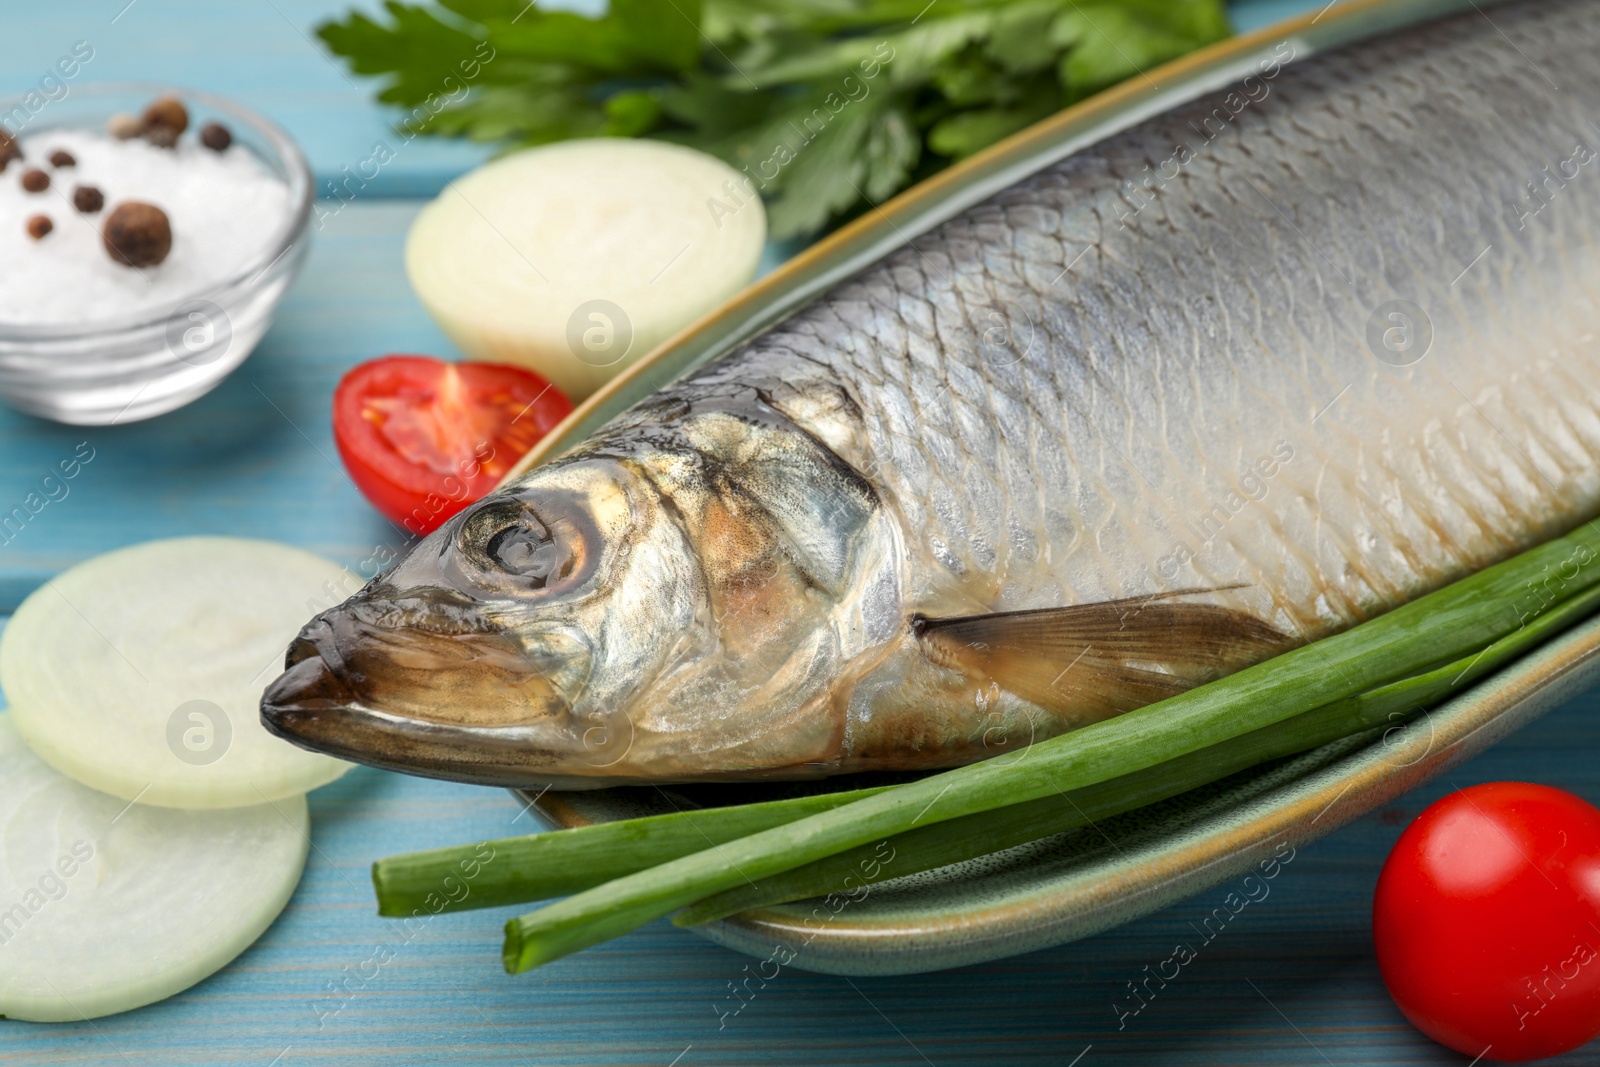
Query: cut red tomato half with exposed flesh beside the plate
[423, 438]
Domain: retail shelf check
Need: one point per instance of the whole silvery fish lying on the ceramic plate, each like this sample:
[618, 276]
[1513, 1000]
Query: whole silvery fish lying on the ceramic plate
[1223, 383]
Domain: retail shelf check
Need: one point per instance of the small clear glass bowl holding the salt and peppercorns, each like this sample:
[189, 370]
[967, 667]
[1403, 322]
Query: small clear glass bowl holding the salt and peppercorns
[156, 359]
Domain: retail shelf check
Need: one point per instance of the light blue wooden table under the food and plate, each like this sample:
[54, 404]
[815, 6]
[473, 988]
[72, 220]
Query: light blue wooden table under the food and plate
[1294, 983]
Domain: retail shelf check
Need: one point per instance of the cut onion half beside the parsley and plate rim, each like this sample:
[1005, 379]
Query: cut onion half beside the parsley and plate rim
[578, 258]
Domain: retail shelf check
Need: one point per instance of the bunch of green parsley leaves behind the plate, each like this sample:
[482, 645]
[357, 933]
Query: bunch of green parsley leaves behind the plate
[828, 106]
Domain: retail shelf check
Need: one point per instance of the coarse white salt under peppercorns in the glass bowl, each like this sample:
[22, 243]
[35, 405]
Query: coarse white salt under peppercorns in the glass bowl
[225, 207]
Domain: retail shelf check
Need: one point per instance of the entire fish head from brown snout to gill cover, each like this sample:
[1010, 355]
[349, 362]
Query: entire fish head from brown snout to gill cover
[654, 612]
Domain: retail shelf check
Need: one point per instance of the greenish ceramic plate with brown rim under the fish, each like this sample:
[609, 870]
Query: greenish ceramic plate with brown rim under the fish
[1078, 884]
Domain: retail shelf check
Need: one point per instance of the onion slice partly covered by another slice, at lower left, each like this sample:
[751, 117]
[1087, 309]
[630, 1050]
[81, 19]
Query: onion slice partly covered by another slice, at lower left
[106, 906]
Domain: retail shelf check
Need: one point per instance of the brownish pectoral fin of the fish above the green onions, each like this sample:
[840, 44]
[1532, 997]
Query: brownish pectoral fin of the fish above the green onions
[1100, 660]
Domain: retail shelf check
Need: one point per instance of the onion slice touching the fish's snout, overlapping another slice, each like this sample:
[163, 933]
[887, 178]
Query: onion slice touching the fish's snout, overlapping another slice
[140, 673]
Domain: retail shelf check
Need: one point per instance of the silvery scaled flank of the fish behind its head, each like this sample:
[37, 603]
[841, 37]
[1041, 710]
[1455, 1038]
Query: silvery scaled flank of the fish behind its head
[1222, 321]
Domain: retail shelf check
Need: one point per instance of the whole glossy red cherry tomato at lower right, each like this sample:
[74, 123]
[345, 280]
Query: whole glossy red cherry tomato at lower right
[1487, 922]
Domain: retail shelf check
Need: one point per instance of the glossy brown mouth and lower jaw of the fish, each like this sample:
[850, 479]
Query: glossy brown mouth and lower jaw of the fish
[489, 717]
